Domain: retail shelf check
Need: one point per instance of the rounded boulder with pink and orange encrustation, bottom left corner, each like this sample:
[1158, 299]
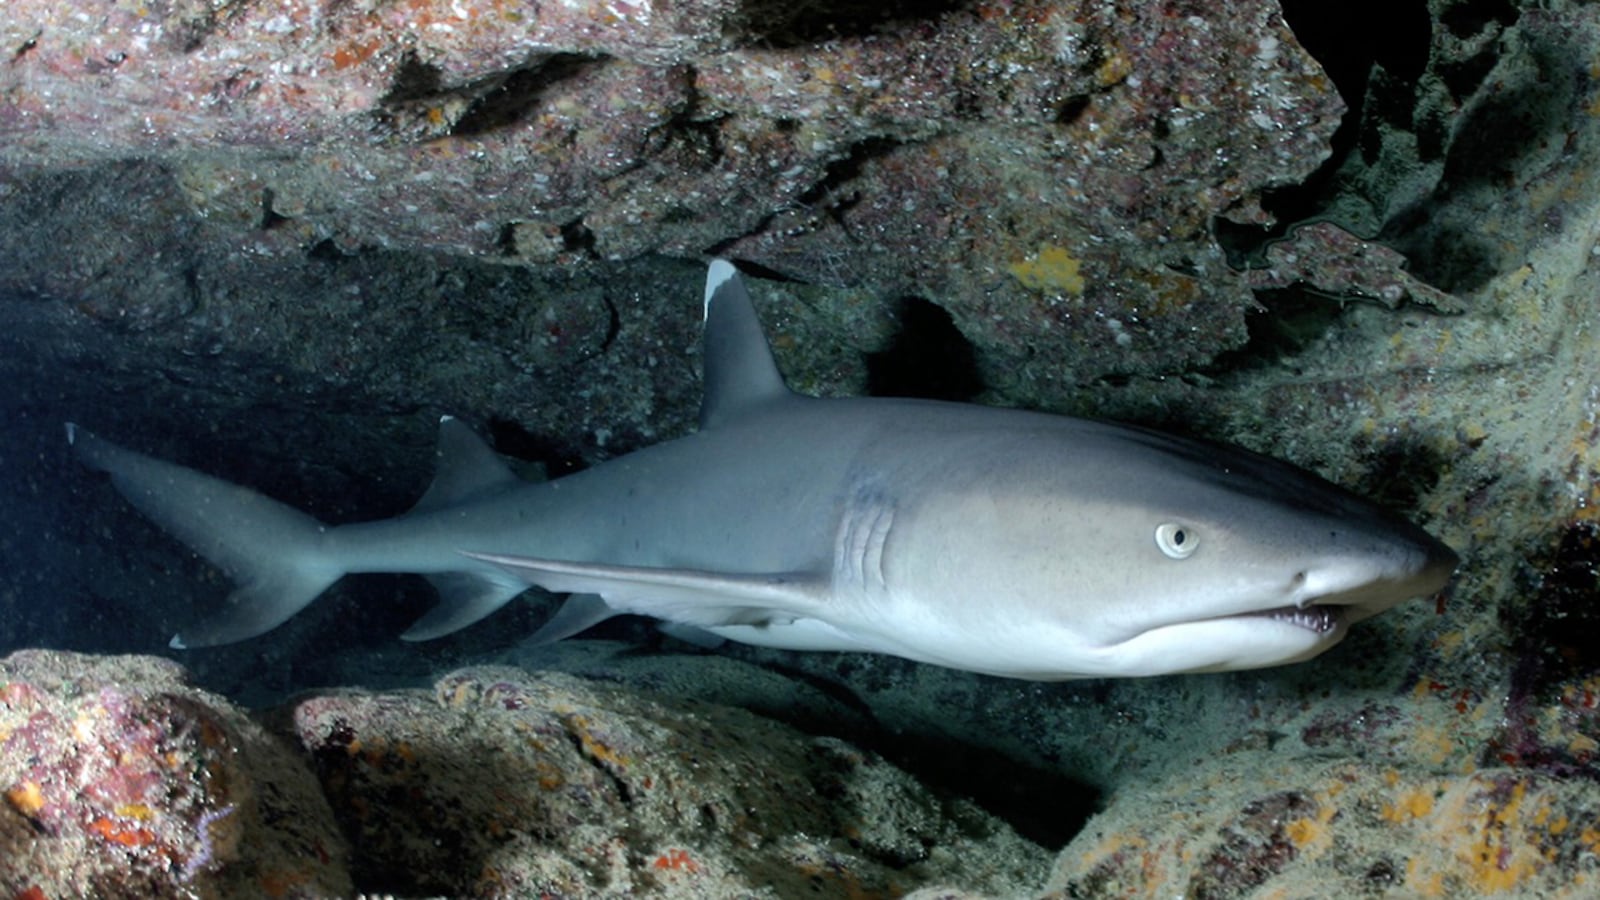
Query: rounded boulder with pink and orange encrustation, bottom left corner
[122, 781]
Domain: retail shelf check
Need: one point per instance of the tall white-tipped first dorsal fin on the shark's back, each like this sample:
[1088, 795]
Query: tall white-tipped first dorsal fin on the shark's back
[740, 369]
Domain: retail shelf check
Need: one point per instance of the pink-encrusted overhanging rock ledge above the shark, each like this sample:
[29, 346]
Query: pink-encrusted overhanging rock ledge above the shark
[1044, 169]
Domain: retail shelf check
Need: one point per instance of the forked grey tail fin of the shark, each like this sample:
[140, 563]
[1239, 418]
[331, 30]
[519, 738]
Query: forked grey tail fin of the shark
[274, 553]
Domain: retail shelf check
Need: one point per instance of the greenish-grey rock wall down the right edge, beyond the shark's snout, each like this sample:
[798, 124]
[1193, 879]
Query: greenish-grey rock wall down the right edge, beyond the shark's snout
[1455, 752]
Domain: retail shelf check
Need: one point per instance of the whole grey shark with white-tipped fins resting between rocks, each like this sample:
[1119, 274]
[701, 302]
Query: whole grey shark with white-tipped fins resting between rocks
[993, 540]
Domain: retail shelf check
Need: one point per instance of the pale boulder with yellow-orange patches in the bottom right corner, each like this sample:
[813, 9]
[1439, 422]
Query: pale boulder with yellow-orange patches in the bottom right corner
[1335, 829]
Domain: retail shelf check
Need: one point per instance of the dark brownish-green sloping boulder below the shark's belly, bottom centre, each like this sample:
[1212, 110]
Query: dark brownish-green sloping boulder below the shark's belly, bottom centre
[511, 784]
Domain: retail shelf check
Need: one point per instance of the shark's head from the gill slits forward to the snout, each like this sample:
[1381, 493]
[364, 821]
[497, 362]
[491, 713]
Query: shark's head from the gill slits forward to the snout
[1153, 555]
